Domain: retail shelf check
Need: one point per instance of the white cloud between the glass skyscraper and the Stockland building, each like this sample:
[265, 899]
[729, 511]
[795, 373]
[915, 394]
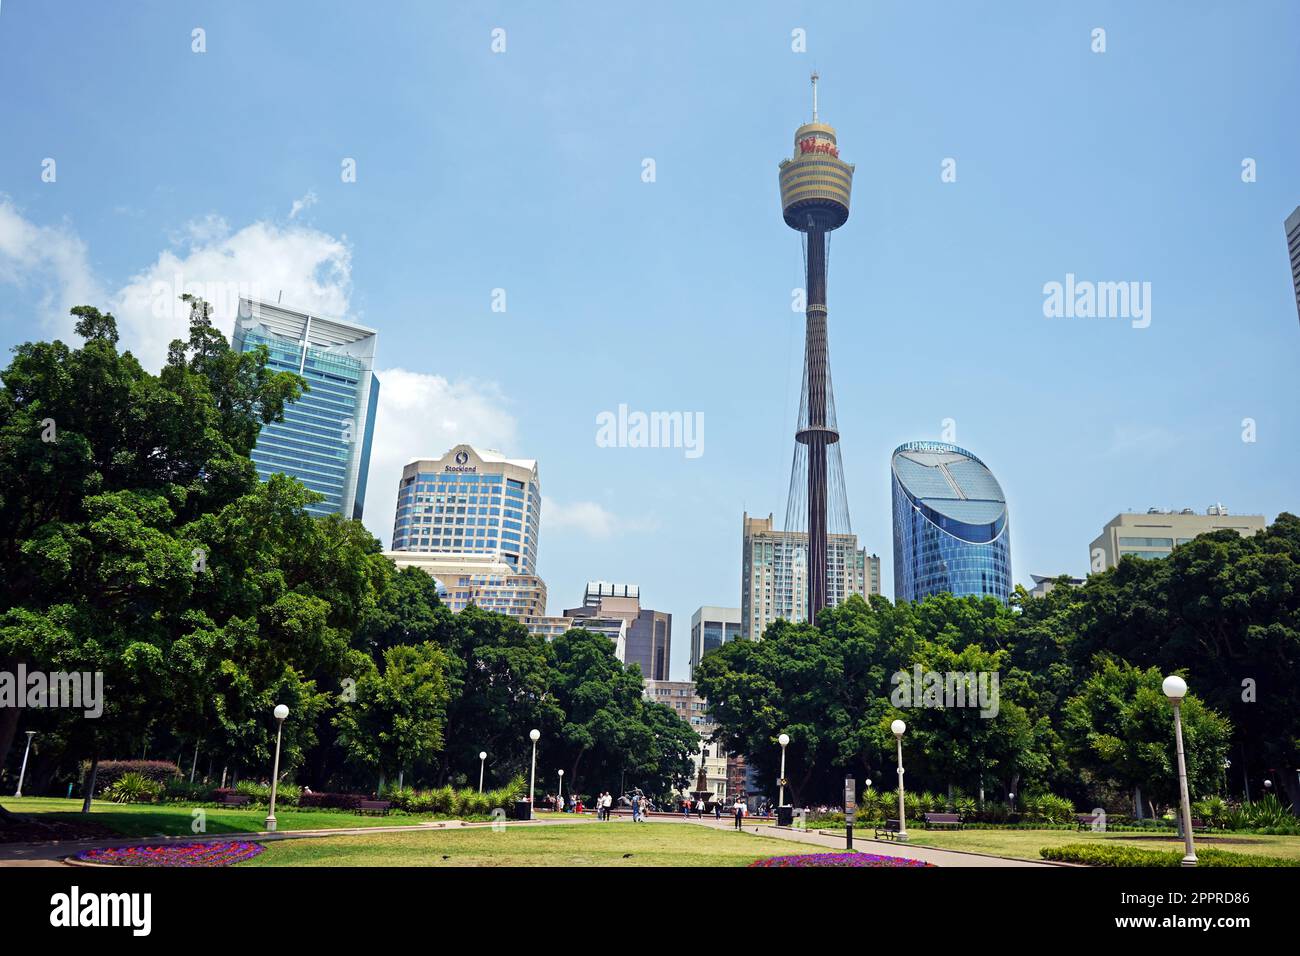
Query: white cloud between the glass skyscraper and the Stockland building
[424, 416]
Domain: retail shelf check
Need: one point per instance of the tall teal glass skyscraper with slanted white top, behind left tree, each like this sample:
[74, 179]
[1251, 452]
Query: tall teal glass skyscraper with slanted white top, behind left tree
[326, 438]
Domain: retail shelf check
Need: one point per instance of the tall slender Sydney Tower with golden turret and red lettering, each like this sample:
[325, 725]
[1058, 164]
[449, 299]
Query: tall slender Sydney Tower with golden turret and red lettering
[816, 201]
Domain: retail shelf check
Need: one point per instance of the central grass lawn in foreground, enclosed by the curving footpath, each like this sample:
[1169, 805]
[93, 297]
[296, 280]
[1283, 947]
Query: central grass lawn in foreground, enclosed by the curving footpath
[571, 845]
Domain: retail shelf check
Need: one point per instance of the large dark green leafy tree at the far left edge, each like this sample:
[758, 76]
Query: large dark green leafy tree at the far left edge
[102, 468]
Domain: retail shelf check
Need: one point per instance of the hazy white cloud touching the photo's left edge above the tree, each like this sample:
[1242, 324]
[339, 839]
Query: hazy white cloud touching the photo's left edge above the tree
[50, 265]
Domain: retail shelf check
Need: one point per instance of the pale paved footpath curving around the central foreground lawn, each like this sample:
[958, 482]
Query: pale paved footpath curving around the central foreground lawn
[57, 853]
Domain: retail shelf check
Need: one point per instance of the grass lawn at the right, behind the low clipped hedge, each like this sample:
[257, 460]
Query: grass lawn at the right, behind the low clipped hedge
[1026, 843]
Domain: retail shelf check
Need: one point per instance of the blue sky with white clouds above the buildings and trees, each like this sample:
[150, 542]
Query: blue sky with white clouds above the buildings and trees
[501, 158]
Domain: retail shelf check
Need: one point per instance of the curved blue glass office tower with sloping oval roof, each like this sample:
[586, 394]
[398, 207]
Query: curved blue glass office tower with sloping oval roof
[951, 529]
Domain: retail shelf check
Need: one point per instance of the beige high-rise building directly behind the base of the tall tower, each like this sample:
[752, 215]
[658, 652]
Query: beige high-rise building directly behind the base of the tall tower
[774, 574]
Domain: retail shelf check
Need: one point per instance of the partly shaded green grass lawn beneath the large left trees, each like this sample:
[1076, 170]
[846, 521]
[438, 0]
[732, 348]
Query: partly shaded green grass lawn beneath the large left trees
[171, 820]
